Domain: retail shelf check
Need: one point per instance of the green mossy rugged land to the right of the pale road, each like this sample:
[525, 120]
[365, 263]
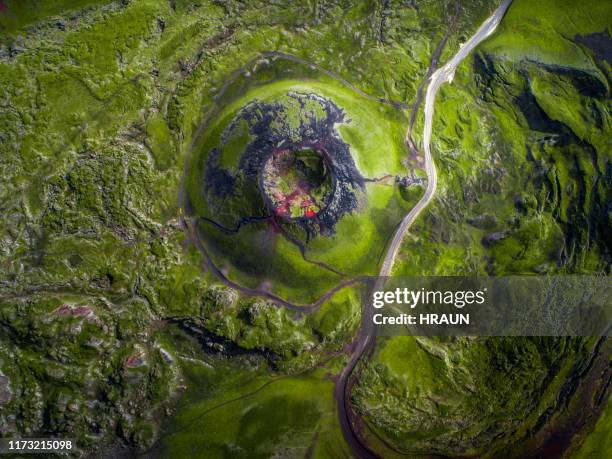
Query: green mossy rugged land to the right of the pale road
[523, 184]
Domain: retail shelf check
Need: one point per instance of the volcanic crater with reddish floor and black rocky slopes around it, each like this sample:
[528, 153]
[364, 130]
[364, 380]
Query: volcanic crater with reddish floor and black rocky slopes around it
[294, 168]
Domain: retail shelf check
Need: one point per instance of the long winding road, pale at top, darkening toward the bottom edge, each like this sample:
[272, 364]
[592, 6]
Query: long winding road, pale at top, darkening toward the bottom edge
[365, 339]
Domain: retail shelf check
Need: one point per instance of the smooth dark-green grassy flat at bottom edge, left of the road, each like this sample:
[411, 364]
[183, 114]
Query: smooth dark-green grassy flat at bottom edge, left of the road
[218, 388]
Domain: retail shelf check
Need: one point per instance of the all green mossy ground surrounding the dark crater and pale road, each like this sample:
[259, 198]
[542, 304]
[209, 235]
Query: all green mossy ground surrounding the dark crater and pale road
[114, 332]
